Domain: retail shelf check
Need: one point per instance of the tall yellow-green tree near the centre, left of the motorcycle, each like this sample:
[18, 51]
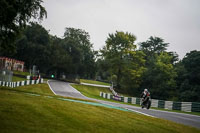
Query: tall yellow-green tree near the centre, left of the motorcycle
[124, 61]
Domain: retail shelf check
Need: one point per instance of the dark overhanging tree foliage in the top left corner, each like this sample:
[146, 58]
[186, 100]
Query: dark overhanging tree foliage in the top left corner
[14, 15]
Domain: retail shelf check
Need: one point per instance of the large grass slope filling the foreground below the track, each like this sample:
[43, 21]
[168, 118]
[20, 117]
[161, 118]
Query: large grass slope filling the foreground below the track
[24, 113]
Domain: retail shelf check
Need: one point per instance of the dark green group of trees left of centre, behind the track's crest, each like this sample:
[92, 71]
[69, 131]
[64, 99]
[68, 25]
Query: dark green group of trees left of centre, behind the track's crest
[72, 55]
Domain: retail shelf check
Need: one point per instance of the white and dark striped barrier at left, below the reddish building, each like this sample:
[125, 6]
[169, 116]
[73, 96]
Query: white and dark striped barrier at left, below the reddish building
[20, 83]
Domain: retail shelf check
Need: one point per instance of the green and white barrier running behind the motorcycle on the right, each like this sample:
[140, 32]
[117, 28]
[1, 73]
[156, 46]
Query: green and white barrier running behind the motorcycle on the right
[170, 105]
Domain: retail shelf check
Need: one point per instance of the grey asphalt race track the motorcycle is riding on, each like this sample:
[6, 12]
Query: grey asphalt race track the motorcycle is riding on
[64, 89]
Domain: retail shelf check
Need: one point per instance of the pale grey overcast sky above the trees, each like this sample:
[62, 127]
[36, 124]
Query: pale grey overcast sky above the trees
[176, 21]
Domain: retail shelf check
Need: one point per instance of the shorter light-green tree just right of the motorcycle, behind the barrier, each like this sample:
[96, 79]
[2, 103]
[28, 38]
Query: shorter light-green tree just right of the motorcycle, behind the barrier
[161, 78]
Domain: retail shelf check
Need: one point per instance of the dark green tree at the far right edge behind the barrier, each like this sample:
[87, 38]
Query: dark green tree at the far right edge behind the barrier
[189, 76]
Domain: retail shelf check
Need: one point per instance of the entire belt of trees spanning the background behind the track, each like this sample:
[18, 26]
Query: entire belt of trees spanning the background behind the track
[130, 67]
